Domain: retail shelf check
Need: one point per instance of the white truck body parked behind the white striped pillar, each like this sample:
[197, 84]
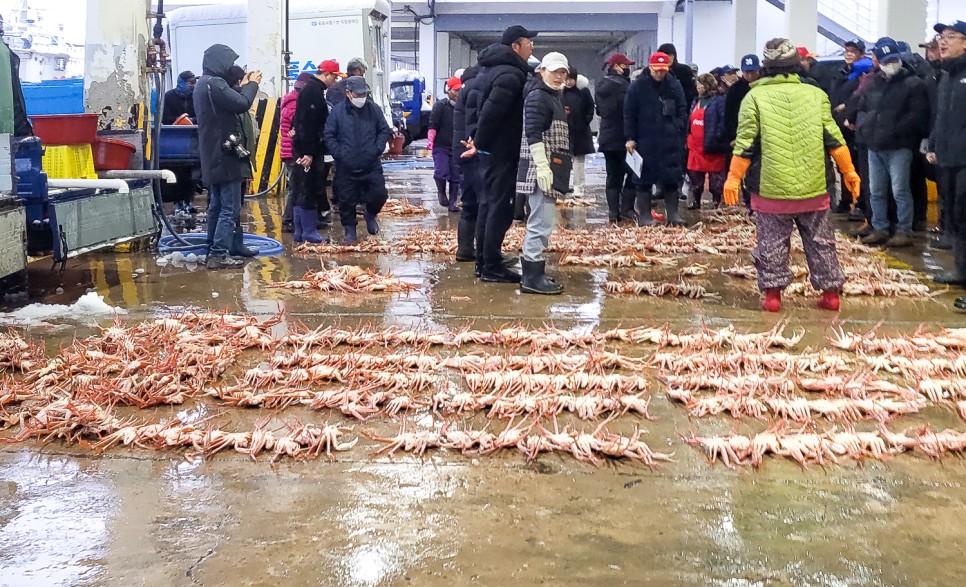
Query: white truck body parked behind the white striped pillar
[318, 30]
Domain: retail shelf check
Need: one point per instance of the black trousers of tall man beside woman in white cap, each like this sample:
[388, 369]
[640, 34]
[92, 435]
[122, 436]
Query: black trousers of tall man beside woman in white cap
[499, 180]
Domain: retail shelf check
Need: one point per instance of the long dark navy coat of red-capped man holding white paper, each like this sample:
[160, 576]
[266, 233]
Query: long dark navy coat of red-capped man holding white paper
[656, 118]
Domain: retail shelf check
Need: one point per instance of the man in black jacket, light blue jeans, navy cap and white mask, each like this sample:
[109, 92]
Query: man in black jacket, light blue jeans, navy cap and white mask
[893, 115]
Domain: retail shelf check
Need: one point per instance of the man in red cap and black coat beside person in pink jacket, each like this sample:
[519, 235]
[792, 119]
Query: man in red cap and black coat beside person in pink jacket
[308, 149]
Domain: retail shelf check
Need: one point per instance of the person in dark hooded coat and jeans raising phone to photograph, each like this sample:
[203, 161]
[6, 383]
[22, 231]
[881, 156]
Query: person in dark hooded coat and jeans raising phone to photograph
[225, 162]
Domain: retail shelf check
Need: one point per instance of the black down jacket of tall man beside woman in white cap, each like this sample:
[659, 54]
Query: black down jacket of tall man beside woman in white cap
[501, 79]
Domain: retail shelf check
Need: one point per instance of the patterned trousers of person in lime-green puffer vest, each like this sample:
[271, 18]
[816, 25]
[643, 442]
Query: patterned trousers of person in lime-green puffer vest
[774, 249]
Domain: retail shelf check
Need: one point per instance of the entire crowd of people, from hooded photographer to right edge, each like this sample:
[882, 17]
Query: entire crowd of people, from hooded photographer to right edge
[511, 134]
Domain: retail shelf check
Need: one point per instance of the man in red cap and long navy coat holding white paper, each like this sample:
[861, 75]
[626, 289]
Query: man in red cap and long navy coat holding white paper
[655, 123]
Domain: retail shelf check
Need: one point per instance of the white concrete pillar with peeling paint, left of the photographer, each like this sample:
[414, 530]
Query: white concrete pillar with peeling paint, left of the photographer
[117, 44]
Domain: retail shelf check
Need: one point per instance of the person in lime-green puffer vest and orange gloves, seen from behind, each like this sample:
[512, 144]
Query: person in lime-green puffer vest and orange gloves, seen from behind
[785, 129]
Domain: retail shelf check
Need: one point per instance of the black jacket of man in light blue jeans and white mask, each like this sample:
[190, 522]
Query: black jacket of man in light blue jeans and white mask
[893, 113]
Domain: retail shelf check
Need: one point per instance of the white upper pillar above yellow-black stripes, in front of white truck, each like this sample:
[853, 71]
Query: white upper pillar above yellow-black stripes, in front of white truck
[264, 41]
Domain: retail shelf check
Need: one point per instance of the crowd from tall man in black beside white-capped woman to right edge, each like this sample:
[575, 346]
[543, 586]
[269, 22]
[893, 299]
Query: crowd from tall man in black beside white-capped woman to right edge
[769, 134]
